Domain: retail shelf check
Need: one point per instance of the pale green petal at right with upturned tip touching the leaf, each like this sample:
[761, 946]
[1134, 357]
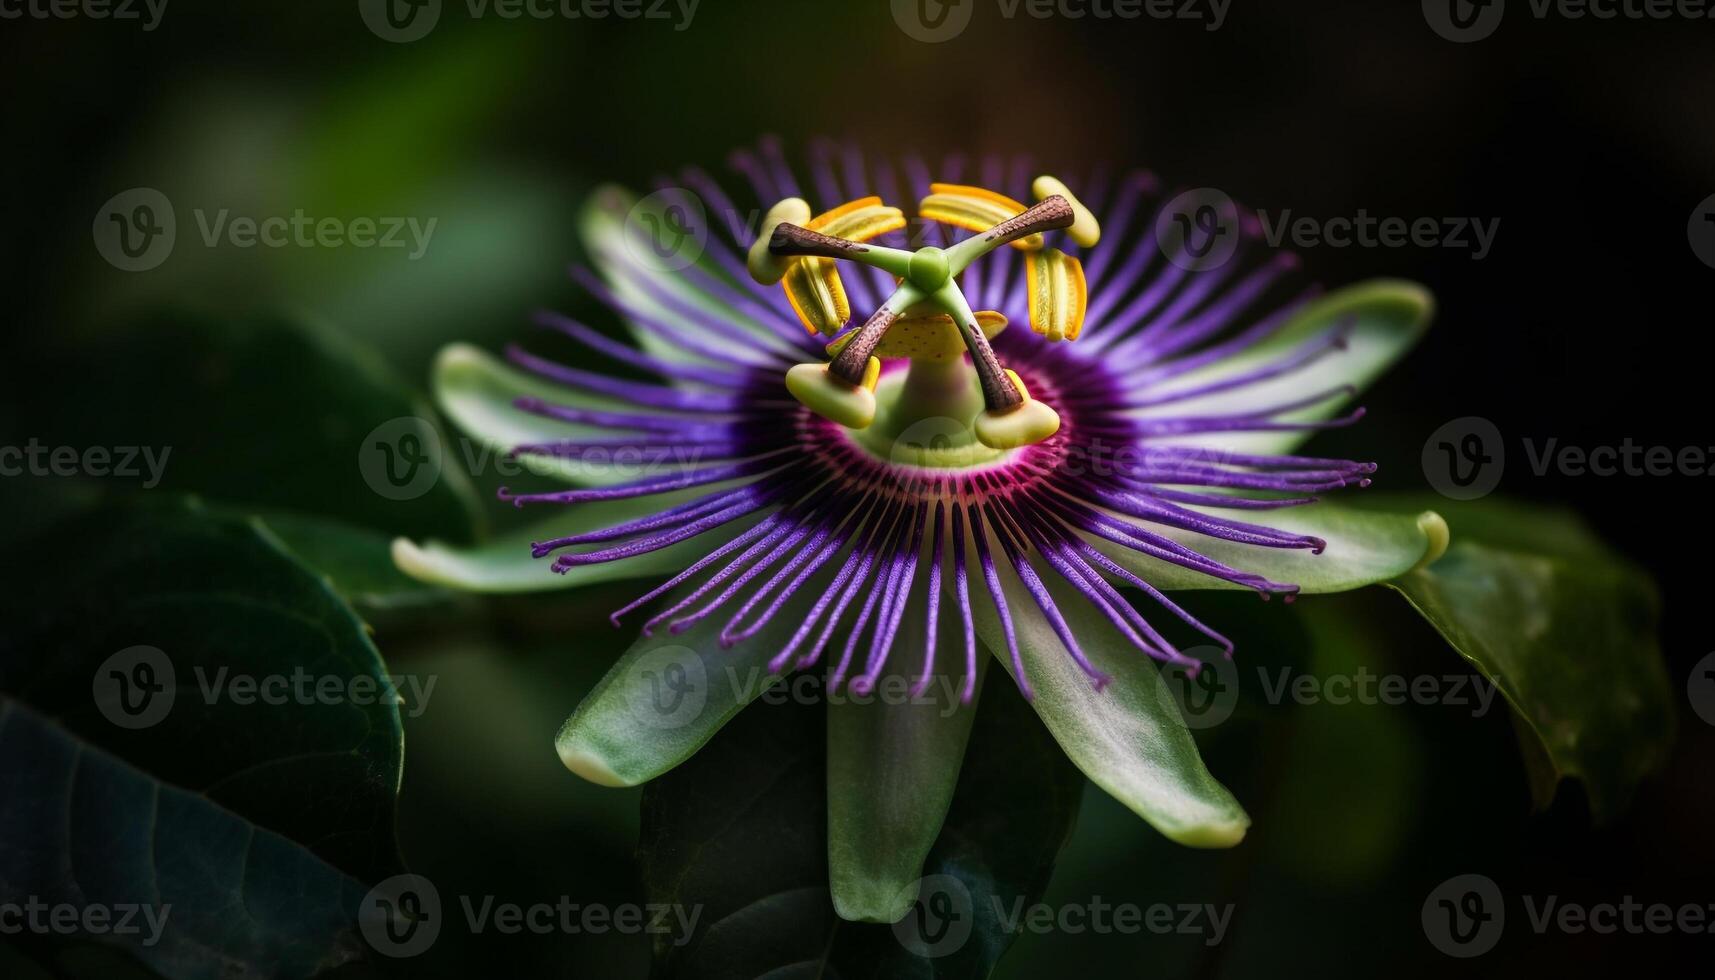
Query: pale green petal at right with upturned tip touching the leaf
[1364, 548]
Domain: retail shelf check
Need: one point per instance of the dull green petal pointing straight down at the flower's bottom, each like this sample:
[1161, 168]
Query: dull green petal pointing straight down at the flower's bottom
[893, 768]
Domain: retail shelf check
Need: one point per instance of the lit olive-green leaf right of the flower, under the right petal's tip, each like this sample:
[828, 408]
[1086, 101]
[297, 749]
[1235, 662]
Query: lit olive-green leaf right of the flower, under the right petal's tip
[1567, 631]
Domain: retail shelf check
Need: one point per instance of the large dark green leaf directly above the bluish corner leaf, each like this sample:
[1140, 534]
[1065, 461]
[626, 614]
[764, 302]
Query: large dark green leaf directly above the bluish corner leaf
[212, 603]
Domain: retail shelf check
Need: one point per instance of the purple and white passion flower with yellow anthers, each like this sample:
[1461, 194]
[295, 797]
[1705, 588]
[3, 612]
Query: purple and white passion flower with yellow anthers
[893, 499]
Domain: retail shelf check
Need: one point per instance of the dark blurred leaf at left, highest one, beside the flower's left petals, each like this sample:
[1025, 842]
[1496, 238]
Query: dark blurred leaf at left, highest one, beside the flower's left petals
[268, 413]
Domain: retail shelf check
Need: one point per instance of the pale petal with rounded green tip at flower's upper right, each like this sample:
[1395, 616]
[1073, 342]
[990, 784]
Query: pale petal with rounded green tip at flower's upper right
[1387, 320]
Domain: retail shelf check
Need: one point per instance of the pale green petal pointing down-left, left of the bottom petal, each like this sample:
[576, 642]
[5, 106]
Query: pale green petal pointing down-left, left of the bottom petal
[670, 694]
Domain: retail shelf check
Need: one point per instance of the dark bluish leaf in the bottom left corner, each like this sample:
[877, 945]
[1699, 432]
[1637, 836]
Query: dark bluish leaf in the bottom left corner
[184, 864]
